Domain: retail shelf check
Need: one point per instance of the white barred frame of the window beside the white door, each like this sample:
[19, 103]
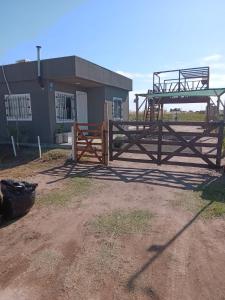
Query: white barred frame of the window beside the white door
[61, 96]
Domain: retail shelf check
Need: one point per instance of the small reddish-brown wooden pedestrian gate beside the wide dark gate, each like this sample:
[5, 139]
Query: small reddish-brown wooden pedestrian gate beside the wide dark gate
[90, 142]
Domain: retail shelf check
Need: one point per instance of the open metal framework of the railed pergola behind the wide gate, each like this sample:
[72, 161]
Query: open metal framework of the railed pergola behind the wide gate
[200, 94]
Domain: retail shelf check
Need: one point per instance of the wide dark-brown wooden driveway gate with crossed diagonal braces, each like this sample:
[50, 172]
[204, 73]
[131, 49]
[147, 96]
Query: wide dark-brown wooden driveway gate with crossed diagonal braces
[185, 143]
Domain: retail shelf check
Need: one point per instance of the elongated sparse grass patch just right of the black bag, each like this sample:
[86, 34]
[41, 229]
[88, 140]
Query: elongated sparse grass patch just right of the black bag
[72, 188]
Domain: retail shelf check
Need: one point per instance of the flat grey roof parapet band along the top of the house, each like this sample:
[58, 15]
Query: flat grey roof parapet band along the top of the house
[68, 69]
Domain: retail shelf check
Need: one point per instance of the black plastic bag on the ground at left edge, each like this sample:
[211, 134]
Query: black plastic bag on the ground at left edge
[18, 198]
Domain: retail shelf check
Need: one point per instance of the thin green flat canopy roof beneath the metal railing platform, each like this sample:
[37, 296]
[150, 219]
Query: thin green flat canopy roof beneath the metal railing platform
[212, 92]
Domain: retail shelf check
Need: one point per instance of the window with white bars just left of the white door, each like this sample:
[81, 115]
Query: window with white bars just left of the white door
[64, 107]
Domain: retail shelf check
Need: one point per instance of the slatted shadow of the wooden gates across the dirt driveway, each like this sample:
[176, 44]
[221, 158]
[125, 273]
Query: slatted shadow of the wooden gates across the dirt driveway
[153, 176]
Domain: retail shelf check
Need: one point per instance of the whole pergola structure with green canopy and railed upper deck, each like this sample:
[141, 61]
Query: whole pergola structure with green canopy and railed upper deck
[189, 86]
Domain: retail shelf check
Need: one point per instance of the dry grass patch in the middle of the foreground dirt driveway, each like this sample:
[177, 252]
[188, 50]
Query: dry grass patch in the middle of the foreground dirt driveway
[119, 222]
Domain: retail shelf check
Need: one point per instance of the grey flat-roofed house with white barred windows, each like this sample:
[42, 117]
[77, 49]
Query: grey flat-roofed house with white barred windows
[41, 98]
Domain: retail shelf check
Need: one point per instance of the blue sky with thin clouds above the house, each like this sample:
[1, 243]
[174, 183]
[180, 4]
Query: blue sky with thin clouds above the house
[134, 38]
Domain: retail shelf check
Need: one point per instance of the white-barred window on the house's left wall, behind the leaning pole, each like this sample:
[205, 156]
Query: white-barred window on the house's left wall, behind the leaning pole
[18, 107]
